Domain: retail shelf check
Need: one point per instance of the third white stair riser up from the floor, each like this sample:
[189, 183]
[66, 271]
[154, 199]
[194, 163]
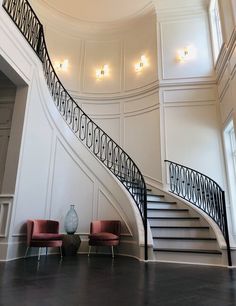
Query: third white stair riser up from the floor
[181, 232]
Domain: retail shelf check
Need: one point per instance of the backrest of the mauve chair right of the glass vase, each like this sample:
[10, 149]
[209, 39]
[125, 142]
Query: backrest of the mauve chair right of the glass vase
[110, 226]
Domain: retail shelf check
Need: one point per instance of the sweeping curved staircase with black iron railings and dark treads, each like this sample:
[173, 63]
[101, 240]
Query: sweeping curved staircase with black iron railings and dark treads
[179, 232]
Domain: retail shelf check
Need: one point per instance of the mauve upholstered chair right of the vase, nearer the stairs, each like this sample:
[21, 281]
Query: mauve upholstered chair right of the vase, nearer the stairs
[104, 233]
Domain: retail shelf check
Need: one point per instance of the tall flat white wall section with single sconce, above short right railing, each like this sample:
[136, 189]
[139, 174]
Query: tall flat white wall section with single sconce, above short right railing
[188, 94]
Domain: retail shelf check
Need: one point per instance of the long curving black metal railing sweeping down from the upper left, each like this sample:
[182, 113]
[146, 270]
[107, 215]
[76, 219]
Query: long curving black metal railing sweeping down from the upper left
[96, 140]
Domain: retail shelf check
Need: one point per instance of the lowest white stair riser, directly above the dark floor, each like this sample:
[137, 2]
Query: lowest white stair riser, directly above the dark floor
[189, 258]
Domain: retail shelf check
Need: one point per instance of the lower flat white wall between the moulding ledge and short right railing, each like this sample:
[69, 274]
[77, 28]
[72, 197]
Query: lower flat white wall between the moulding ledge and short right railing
[192, 131]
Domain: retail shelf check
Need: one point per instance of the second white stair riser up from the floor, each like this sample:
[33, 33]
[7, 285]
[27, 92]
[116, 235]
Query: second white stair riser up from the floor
[186, 244]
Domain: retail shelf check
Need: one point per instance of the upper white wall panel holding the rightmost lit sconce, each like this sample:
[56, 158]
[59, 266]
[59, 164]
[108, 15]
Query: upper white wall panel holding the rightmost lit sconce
[177, 34]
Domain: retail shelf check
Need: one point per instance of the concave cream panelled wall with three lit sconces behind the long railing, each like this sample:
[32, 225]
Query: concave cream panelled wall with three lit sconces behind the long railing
[126, 103]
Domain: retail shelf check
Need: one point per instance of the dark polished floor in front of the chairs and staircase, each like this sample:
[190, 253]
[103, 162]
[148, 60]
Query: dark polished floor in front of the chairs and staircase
[99, 280]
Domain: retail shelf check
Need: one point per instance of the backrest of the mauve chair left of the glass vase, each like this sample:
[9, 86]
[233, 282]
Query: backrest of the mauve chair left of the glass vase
[41, 226]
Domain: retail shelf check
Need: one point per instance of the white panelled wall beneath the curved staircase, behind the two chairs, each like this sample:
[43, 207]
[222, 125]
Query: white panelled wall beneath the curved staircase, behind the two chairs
[55, 169]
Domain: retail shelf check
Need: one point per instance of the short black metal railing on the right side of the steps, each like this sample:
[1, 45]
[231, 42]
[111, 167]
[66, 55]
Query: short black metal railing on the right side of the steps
[203, 192]
